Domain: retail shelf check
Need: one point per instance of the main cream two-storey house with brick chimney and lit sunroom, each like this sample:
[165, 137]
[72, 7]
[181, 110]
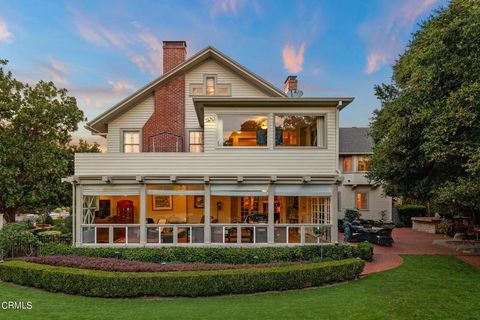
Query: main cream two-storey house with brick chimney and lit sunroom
[210, 154]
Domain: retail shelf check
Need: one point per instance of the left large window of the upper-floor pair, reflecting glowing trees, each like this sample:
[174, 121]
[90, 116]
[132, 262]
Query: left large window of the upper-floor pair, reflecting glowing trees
[242, 130]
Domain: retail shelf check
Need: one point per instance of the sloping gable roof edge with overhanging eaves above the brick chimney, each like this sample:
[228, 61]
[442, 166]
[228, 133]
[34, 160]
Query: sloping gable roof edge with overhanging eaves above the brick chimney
[98, 125]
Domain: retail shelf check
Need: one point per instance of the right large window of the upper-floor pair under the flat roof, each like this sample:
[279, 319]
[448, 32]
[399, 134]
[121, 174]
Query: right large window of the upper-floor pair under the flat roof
[298, 130]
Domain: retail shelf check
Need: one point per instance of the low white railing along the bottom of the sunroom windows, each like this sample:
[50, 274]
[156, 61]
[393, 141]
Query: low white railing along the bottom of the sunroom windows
[185, 234]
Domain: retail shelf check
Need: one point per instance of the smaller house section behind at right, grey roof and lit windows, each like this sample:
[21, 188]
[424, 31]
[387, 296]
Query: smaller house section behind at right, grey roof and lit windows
[356, 191]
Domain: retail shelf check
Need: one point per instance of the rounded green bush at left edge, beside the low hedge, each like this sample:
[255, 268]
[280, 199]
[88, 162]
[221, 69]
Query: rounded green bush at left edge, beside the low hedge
[16, 239]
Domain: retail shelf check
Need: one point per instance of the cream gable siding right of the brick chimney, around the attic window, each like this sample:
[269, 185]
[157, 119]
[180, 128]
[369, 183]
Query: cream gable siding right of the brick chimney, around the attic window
[240, 87]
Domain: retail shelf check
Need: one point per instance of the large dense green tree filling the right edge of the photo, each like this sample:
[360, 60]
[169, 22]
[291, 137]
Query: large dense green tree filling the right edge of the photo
[427, 133]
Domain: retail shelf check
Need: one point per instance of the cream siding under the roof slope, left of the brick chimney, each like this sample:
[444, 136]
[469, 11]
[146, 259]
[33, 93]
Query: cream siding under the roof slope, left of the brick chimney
[134, 118]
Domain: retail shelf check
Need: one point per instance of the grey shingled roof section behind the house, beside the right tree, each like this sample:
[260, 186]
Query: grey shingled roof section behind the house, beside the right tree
[355, 141]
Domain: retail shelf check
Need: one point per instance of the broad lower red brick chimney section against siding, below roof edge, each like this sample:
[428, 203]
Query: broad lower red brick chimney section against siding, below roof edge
[165, 130]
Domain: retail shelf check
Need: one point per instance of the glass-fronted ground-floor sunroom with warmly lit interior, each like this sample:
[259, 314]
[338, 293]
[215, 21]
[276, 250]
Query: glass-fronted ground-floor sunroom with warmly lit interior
[204, 214]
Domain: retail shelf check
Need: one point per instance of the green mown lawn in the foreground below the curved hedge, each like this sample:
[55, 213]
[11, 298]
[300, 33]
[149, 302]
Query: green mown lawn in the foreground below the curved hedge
[424, 287]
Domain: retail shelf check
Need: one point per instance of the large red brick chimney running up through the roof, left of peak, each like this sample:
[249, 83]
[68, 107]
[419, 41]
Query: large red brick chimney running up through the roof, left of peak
[165, 130]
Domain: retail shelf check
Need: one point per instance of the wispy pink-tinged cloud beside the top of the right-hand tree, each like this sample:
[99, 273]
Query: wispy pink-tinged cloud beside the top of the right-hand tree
[385, 35]
